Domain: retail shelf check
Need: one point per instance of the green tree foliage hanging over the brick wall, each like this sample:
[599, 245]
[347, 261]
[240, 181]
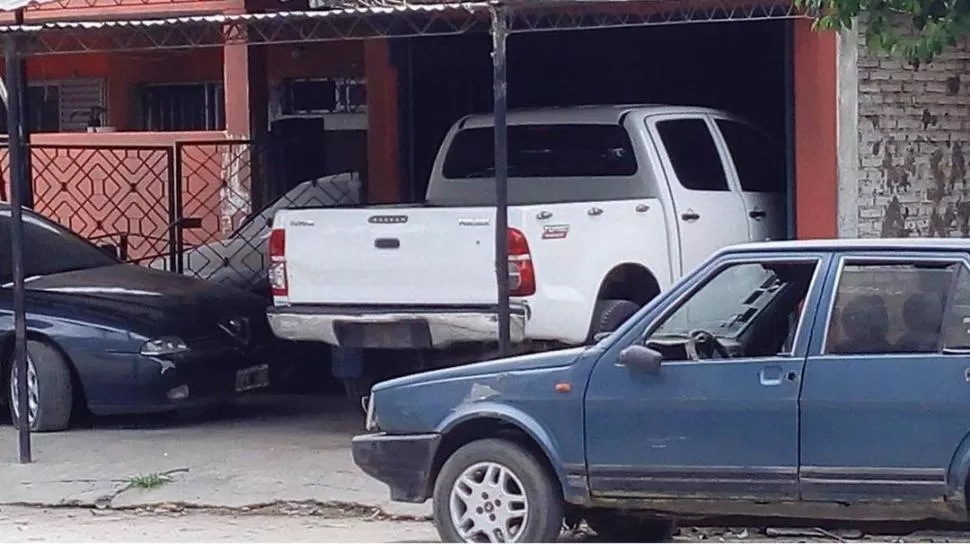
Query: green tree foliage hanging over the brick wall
[916, 30]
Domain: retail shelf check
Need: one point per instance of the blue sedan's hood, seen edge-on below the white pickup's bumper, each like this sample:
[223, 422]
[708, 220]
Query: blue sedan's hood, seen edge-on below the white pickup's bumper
[533, 361]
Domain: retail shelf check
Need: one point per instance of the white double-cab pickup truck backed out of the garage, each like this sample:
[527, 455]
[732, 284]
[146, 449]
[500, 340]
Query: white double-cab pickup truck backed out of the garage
[607, 206]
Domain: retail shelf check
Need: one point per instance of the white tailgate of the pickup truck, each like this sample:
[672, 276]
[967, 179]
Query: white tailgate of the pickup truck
[393, 255]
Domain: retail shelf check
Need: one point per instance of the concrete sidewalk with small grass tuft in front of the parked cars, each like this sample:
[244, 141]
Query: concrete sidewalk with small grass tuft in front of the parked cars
[267, 450]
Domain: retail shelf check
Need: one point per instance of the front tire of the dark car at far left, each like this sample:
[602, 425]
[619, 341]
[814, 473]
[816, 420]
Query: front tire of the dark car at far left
[53, 388]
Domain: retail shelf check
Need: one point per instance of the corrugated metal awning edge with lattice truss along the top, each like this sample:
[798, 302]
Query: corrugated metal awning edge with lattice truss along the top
[358, 21]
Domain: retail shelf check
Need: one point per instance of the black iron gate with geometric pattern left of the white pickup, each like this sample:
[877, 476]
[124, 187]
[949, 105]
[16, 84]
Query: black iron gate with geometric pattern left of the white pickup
[187, 207]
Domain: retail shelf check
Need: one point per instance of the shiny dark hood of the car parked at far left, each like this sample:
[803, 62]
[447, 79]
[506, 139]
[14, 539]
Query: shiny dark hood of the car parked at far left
[148, 299]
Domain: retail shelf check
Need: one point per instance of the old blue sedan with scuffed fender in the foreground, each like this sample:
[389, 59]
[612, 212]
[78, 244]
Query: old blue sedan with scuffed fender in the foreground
[825, 382]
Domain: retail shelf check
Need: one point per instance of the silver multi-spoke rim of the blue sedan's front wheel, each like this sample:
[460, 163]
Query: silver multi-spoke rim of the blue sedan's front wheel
[488, 504]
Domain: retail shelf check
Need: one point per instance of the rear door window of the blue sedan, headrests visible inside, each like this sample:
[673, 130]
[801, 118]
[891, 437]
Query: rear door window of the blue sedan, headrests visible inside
[883, 308]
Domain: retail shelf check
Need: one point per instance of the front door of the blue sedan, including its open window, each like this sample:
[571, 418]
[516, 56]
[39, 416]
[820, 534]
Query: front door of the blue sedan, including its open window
[719, 417]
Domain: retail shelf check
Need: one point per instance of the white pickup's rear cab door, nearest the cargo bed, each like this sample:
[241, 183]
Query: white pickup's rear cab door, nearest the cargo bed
[709, 211]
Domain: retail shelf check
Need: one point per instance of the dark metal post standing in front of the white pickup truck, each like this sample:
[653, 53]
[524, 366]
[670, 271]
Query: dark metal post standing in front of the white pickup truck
[499, 33]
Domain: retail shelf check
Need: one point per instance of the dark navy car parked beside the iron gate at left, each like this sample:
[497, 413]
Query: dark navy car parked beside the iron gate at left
[116, 338]
